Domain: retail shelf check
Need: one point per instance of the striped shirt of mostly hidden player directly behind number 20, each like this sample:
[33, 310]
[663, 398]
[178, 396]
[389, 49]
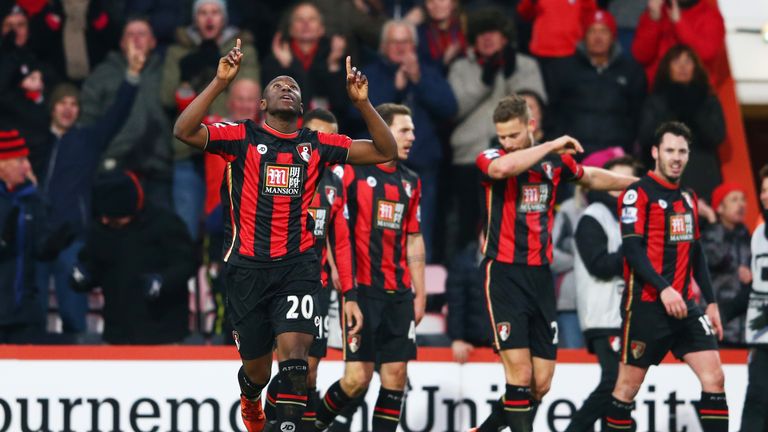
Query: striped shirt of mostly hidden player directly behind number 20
[329, 210]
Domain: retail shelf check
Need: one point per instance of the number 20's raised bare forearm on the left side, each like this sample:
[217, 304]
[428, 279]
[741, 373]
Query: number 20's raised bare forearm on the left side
[188, 128]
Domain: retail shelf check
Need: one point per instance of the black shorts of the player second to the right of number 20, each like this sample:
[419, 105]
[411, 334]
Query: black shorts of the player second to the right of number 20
[389, 330]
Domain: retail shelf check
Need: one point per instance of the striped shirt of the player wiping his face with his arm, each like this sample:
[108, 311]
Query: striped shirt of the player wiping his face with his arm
[521, 208]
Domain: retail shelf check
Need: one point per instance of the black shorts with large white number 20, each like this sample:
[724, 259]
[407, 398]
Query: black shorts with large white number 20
[265, 302]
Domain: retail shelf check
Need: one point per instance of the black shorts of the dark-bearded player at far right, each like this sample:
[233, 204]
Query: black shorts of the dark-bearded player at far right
[650, 334]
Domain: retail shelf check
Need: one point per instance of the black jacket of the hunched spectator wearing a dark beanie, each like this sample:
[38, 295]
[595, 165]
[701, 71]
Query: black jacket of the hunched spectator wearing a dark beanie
[120, 261]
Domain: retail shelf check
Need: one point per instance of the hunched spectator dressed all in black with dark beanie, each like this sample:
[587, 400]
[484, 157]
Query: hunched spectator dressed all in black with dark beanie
[142, 257]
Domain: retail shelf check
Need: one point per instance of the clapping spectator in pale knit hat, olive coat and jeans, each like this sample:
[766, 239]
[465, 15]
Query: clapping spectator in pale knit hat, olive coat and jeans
[189, 64]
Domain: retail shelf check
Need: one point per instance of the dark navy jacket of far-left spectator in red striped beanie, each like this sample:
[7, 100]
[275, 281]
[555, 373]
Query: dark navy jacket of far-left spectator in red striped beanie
[20, 211]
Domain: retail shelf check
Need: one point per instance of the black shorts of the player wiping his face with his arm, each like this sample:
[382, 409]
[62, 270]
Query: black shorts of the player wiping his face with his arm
[522, 307]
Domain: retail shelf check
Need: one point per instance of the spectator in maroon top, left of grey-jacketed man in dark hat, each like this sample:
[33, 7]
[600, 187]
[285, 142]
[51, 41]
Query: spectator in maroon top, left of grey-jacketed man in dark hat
[442, 35]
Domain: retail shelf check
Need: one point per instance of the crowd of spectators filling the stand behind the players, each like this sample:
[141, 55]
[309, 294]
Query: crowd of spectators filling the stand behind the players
[89, 91]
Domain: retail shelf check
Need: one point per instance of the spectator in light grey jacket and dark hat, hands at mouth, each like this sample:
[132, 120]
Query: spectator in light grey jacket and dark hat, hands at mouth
[491, 70]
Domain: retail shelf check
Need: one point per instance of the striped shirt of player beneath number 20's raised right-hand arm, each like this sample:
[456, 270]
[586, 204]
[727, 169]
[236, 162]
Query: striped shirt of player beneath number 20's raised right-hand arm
[383, 206]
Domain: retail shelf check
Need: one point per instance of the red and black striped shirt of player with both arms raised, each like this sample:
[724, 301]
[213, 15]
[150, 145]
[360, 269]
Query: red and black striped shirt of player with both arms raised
[269, 183]
